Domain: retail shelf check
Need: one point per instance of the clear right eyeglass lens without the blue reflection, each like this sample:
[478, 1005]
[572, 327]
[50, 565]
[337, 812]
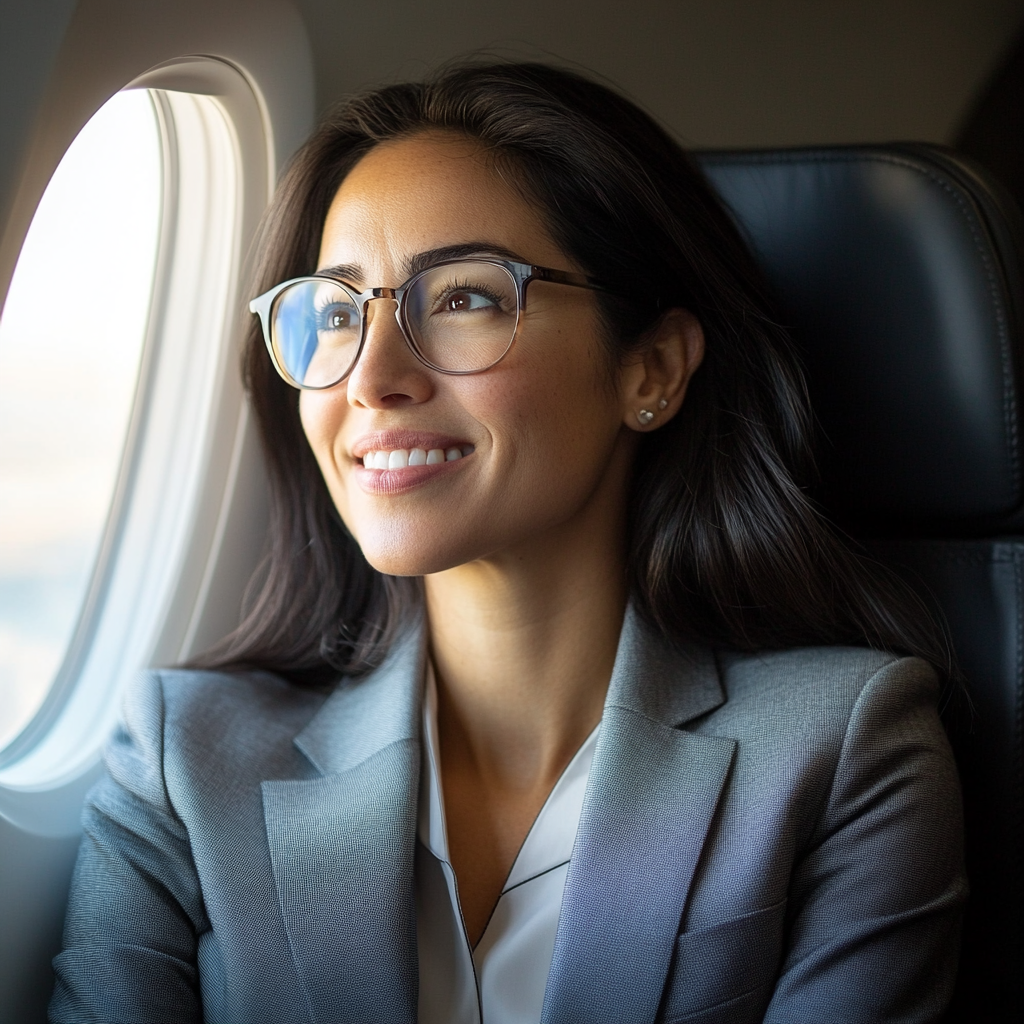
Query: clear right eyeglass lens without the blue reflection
[463, 316]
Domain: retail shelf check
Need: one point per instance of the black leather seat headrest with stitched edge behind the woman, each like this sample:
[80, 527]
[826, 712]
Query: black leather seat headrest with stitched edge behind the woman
[898, 270]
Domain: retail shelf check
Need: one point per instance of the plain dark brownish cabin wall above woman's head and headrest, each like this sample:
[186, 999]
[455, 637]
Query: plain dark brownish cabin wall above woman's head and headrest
[719, 73]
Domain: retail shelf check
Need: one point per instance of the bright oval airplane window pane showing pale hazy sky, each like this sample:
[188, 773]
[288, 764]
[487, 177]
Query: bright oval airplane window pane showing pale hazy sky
[71, 343]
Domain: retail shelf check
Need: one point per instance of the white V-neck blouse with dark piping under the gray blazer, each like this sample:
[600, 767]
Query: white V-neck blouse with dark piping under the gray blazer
[502, 982]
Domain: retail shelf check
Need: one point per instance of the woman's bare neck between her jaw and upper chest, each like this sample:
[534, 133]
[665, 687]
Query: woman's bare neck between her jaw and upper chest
[524, 648]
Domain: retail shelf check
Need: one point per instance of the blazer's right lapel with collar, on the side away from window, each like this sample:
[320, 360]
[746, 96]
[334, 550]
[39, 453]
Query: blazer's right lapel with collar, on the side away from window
[651, 799]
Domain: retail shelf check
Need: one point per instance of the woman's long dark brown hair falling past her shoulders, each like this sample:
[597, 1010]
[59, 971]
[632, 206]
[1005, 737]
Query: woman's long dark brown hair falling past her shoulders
[726, 547]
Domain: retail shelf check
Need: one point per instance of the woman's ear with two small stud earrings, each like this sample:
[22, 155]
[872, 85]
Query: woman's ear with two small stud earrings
[655, 380]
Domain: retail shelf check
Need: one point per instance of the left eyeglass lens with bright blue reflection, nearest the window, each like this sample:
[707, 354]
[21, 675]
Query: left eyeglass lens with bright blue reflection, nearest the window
[316, 332]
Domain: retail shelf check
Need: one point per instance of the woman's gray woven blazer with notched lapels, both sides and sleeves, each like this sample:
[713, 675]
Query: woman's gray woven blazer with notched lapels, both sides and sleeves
[773, 837]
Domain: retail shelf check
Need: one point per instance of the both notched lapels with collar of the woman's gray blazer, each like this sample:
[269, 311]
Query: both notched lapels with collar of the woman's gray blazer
[343, 845]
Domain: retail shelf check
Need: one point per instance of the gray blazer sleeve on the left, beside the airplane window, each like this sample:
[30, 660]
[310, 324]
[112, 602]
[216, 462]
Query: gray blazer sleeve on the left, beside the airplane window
[136, 908]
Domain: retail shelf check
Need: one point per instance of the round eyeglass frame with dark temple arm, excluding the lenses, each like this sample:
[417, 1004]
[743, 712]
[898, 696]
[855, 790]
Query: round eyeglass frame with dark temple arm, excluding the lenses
[522, 275]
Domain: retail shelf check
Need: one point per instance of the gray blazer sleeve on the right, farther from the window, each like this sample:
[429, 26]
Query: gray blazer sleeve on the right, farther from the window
[877, 900]
